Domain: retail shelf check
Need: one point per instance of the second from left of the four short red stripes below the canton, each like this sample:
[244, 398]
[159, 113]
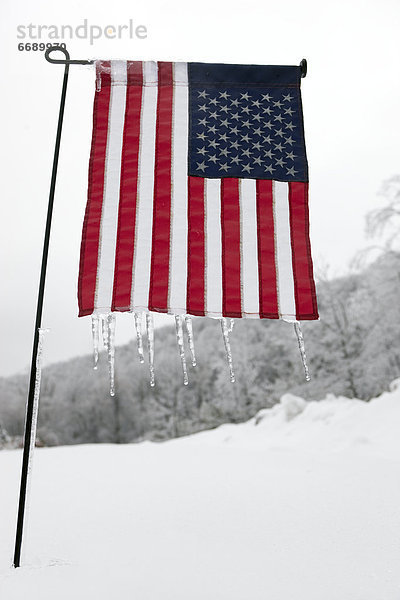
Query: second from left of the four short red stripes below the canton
[230, 224]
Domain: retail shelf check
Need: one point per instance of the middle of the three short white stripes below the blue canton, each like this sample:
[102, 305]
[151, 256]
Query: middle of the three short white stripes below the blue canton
[248, 248]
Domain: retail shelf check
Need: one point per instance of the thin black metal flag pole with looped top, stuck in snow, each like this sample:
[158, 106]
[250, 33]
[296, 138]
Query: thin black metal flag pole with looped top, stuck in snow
[30, 426]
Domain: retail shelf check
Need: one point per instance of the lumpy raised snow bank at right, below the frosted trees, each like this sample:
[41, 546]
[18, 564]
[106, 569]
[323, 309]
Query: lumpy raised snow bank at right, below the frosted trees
[333, 424]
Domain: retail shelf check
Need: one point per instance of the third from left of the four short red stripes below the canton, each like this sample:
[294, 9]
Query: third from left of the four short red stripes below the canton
[266, 251]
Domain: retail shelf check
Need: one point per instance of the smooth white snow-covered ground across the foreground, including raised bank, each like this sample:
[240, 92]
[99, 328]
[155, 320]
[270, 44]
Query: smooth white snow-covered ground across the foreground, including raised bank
[300, 503]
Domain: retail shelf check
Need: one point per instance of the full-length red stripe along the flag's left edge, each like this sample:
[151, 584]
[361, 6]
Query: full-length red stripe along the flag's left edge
[91, 224]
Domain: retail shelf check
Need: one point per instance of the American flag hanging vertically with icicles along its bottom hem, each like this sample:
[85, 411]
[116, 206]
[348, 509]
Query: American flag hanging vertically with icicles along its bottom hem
[198, 193]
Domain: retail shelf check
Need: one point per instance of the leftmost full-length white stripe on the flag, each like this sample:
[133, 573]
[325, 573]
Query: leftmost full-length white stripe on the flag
[112, 175]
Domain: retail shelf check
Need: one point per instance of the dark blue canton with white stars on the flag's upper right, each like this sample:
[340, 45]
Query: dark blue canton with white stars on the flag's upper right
[250, 129]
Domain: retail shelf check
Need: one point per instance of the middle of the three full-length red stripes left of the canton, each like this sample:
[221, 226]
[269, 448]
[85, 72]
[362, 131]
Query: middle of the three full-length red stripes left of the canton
[128, 190]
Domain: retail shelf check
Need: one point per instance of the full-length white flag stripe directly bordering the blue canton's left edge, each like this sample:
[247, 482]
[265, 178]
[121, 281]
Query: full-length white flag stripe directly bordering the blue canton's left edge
[179, 191]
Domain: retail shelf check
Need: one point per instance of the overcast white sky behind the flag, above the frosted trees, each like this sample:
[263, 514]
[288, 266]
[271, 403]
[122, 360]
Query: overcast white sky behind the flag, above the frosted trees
[351, 100]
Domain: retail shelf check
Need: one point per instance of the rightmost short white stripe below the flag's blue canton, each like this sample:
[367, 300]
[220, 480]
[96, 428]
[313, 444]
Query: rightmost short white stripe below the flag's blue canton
[283, 252]
